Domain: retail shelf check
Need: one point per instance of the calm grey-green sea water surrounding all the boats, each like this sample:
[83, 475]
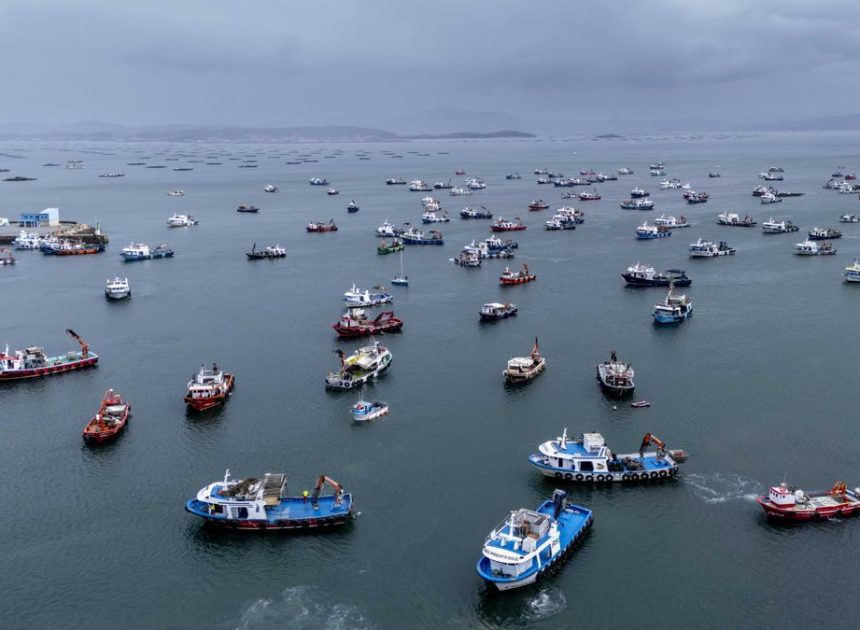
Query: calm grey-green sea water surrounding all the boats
[760, 385]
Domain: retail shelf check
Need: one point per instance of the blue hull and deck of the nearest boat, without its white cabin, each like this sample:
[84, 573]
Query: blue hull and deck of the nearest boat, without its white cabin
[573, 523]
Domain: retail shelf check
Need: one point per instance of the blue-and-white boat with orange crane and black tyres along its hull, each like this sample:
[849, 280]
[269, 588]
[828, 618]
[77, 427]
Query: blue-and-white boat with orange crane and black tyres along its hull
[587, 459]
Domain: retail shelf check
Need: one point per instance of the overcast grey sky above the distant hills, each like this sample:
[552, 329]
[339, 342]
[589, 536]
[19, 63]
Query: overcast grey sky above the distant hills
[368, 62]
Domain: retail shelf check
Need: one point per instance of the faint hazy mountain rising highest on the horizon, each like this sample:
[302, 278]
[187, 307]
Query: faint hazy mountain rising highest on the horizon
[444, 120]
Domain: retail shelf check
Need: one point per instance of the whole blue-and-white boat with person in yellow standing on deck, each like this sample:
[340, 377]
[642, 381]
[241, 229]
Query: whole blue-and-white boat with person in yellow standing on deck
[265, 505]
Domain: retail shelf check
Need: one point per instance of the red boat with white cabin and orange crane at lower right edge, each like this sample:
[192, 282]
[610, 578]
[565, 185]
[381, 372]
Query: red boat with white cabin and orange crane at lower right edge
[791, 503]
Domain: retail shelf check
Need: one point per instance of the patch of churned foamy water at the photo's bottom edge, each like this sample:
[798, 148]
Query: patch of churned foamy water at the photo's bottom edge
[302, 607]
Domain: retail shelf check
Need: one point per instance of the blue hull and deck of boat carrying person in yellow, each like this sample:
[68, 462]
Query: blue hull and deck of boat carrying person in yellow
[294, 513]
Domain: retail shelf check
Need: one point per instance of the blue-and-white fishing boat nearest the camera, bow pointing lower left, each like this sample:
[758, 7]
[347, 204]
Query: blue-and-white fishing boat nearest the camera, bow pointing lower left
[530, 544]
